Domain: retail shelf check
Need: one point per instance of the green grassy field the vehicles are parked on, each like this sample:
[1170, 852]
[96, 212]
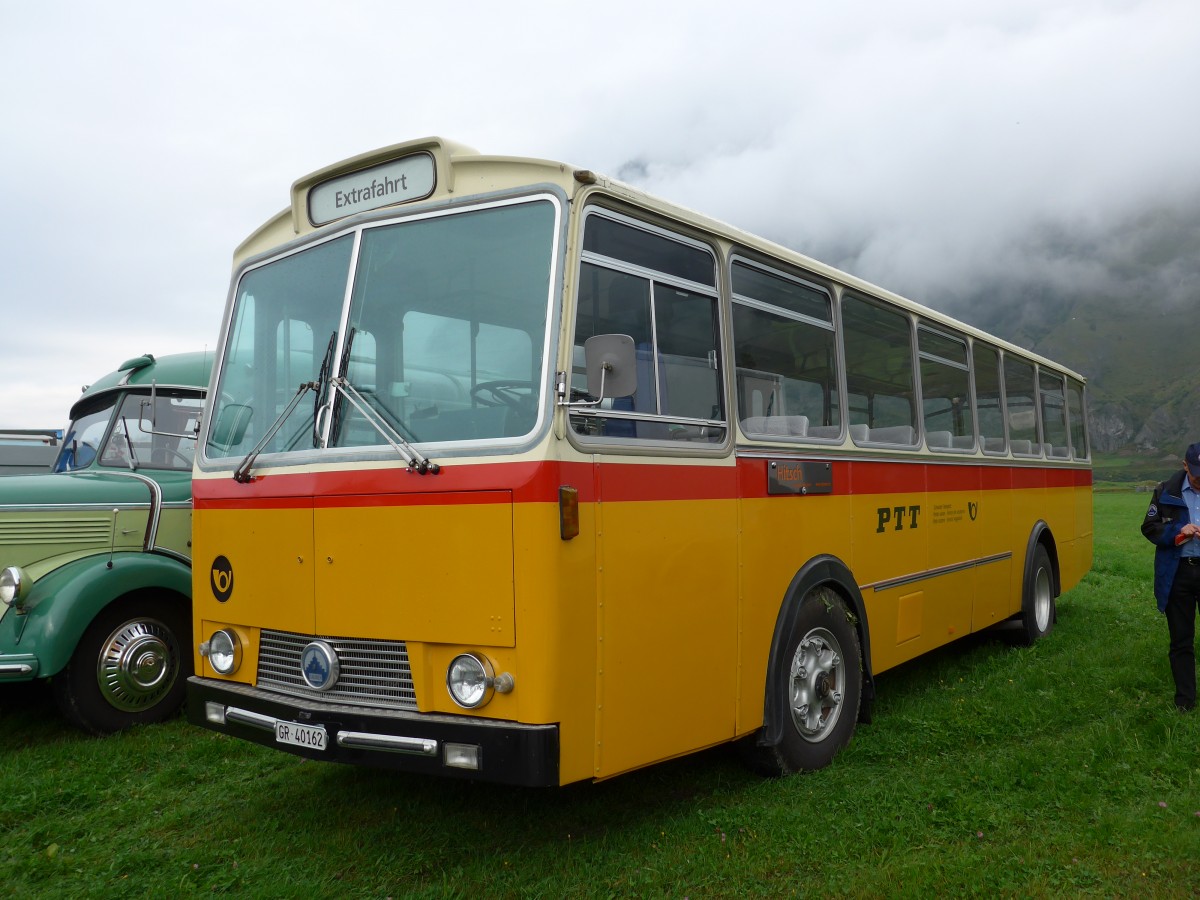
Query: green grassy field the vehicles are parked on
[1060, 770]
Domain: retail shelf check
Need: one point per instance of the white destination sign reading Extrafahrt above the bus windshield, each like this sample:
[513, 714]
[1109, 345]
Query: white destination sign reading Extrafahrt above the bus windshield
[404, 181]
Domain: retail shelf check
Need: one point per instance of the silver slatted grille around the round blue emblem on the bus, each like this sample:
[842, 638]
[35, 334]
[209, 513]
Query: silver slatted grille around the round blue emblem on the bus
[373, 673]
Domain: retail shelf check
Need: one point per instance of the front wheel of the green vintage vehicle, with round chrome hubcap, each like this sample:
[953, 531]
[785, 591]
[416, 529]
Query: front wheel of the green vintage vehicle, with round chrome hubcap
[130, 668]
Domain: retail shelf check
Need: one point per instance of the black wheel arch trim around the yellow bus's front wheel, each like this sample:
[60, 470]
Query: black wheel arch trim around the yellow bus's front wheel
[832, 573]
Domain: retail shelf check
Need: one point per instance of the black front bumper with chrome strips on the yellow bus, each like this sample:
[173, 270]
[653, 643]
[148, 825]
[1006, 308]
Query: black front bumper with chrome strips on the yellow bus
[508, 753]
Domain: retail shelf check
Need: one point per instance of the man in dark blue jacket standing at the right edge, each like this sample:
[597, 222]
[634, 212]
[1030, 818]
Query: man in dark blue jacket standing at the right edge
[1173, 526]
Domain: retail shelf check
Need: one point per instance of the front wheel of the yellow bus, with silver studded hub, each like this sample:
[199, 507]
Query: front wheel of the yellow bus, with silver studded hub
[820, 679]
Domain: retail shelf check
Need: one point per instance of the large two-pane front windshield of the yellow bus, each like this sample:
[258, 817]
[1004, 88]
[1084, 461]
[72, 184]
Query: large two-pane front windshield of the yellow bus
[445, 340]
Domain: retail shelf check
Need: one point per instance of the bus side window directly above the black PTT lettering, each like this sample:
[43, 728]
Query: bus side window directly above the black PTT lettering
[879, 373]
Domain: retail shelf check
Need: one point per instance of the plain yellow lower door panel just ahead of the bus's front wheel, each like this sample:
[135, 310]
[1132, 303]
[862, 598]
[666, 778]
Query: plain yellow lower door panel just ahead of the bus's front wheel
[667, 675]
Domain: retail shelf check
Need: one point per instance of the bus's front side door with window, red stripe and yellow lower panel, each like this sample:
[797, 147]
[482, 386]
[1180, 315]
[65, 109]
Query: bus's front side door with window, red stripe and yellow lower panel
[667, 521]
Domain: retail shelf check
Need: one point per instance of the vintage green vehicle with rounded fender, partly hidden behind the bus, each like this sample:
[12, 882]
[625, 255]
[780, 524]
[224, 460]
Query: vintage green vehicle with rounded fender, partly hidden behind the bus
[95, 556]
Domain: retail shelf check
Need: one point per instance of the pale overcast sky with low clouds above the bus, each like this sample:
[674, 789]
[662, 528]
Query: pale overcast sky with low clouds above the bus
[922, 146]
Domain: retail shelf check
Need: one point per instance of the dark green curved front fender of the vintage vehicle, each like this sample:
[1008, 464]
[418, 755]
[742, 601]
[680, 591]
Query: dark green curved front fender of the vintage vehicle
[64, 603]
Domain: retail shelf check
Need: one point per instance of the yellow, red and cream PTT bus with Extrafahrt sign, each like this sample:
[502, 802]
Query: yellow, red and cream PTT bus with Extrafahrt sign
[513, 472]
